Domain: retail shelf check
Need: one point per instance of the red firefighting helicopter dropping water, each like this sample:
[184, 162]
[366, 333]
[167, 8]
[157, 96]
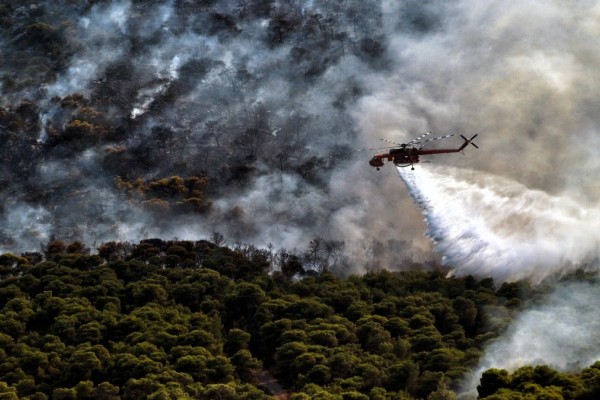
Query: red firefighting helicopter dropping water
[408, 153]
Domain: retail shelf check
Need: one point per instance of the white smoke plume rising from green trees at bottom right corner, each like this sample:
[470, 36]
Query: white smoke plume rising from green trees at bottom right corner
[563, 333]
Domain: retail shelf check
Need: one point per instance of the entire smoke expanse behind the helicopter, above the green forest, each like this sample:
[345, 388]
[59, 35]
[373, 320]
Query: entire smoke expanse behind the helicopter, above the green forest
[284, 93]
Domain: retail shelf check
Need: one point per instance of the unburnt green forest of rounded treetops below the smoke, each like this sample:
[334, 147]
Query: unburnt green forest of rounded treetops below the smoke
[197, 319]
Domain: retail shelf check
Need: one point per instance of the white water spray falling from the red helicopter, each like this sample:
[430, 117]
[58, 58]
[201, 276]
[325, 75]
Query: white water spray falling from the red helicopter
[486, 225]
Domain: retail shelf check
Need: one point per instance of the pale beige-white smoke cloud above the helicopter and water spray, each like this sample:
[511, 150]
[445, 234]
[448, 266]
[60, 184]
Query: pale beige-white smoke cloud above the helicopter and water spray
[523, 74]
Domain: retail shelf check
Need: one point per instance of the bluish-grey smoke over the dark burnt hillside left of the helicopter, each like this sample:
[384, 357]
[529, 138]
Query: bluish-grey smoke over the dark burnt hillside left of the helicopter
[260, 97]
